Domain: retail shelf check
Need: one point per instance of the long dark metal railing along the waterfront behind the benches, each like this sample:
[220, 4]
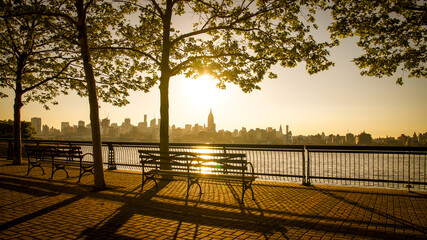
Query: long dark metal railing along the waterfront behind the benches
[392, 167]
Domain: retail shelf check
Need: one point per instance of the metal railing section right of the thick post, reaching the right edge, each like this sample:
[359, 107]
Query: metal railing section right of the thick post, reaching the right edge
[392, 167]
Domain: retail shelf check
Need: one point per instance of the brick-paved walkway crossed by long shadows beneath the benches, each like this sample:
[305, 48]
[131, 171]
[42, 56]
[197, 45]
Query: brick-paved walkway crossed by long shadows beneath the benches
[34, 207]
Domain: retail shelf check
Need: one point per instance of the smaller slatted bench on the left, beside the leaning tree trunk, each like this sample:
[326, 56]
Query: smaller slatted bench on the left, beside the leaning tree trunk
[58, 156]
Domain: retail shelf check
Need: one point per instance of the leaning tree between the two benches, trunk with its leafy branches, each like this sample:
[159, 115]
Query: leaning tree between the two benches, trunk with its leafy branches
[86, 25]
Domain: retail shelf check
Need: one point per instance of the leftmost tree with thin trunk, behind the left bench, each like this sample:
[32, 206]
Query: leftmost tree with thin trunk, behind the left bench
[33, 63]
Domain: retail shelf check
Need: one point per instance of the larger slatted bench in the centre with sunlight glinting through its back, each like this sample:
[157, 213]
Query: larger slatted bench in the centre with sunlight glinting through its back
[194, 166]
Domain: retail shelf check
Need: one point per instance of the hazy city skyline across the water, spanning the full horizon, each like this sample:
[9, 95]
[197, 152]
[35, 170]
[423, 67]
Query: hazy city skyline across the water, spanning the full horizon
[148, 131]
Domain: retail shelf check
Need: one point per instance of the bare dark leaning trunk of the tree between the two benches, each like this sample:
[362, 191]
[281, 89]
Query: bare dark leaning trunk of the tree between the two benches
[99, 181]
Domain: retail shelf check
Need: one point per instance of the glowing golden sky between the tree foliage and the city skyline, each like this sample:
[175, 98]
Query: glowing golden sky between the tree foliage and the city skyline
[336, 101]
